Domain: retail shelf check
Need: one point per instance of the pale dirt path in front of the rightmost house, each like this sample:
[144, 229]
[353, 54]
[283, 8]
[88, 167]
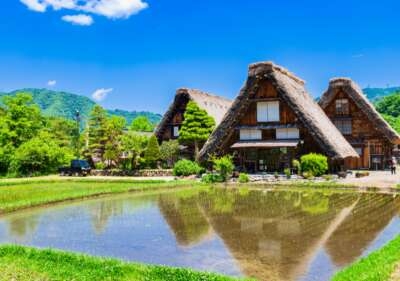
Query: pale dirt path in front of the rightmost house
[380, 179]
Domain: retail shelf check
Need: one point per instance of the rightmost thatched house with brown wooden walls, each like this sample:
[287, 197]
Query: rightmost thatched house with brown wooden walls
[359, 122]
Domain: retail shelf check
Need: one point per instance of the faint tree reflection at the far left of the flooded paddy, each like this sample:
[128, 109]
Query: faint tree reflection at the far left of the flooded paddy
[22, 226]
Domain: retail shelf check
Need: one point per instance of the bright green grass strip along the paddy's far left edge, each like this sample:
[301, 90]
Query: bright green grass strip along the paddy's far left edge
[29, 193]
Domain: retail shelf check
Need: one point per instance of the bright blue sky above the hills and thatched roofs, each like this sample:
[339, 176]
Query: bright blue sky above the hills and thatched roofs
[144, 49]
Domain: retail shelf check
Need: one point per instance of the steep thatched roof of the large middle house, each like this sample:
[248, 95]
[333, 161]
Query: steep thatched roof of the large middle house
[291, 90]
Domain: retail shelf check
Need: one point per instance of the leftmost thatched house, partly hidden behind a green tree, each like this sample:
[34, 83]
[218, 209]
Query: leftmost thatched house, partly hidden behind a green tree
[171, 122]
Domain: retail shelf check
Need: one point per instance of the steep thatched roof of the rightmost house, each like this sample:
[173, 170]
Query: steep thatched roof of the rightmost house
[356, 94]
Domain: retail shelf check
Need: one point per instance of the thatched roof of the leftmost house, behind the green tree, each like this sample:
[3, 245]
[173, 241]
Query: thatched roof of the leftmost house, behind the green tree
[215, 106]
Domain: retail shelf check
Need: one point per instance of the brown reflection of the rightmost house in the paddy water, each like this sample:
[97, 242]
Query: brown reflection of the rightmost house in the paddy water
[372, 214]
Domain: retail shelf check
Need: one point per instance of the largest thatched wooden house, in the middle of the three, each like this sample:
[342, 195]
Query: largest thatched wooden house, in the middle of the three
[274, 120]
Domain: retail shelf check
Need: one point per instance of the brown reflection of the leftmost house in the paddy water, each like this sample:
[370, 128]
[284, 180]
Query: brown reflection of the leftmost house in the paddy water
[185, 219]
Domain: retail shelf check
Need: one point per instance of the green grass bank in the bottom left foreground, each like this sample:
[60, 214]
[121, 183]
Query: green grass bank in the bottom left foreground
[22, 263]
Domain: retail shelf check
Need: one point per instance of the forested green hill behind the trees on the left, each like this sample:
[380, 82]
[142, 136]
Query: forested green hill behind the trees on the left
[64, 104]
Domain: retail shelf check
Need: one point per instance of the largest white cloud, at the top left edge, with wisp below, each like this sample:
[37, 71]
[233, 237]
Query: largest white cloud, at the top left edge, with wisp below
[113, 9]
